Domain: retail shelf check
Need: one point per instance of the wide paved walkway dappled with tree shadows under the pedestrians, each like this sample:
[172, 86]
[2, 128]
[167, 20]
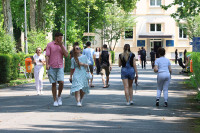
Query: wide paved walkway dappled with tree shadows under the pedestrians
[104, 110]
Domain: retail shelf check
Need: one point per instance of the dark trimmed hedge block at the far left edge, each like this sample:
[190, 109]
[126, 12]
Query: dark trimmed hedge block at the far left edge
[5, 68]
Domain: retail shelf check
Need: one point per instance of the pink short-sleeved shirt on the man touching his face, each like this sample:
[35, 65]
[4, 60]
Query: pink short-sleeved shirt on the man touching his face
[55, 54]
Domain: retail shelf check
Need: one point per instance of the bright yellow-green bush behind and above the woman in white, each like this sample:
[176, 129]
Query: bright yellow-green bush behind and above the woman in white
[36, 39]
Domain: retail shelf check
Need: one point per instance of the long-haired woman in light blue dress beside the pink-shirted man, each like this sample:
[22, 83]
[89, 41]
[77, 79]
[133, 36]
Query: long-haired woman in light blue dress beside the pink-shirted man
[79, 81]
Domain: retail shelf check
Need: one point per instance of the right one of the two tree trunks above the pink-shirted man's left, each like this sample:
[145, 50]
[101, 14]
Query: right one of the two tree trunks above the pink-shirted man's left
[40, 18]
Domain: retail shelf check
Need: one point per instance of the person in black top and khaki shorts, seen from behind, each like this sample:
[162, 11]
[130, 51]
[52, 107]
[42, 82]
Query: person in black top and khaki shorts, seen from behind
[105, 61]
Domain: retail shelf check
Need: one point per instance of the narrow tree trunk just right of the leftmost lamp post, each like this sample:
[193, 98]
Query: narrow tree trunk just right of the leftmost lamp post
[32, 14]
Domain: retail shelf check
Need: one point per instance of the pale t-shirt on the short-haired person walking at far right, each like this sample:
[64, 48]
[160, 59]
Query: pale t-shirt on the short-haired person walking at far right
[163, 64]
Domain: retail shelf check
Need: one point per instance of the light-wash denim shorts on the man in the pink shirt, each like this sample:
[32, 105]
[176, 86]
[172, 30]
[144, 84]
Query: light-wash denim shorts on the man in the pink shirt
[55, 74]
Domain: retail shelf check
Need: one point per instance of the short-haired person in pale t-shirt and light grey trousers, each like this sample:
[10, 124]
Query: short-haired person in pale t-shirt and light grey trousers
[163, 68]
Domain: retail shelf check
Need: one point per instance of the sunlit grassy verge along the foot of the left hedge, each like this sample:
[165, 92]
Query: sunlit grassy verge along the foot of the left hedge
[20, 80]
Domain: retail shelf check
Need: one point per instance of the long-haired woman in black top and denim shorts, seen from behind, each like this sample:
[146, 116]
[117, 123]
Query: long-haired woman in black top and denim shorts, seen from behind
[128, 71]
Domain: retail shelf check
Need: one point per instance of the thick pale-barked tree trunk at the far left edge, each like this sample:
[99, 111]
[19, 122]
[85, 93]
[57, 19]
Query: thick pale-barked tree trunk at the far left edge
[8, 25]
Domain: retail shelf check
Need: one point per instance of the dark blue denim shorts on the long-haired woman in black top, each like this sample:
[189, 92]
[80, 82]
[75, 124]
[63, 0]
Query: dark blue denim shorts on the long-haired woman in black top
[127, 73]
